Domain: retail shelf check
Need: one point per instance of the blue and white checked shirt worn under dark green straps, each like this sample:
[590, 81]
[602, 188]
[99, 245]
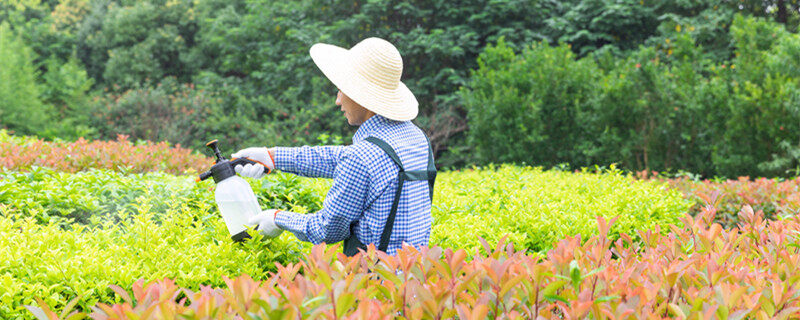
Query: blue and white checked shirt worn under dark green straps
[364, 185]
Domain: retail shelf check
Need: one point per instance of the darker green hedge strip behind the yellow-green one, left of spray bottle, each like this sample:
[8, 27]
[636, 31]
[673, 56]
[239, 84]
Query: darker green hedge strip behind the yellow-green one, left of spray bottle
[95, 196]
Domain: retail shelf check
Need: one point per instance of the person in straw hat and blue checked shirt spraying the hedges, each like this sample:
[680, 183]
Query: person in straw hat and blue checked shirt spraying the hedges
[383, 182]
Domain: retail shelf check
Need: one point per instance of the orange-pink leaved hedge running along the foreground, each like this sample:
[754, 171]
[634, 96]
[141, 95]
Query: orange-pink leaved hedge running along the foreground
[696, 271]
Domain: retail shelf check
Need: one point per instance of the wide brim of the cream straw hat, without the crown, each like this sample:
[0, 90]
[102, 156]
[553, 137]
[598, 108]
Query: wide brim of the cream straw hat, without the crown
[337, 65]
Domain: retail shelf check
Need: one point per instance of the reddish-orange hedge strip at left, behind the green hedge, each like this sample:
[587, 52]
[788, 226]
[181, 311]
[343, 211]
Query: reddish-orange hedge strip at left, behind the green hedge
[23, 153]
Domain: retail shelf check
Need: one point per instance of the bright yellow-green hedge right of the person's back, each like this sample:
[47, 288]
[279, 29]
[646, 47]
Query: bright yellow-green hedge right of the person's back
[536, 208]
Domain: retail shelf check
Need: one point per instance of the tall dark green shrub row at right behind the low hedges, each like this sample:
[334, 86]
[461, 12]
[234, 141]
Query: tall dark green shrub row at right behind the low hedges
[661, 108]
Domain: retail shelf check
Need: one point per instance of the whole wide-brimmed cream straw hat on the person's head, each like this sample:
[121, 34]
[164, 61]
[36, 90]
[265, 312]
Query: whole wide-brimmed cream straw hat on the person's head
[369, 73]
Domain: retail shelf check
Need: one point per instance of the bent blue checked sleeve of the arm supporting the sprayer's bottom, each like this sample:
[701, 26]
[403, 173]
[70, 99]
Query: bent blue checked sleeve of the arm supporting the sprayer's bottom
[345, 203]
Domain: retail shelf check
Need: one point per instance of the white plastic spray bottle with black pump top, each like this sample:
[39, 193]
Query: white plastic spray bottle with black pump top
[235, 199]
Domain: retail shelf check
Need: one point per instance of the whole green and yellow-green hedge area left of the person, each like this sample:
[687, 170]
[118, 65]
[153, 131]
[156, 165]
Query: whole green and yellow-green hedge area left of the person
[84, 231]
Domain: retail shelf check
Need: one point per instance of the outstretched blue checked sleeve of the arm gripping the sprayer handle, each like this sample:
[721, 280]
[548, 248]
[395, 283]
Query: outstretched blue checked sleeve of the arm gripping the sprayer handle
[314, 162]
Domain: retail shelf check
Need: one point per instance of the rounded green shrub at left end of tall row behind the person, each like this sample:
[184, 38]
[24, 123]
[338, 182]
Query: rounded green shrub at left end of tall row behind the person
[537, 98]
